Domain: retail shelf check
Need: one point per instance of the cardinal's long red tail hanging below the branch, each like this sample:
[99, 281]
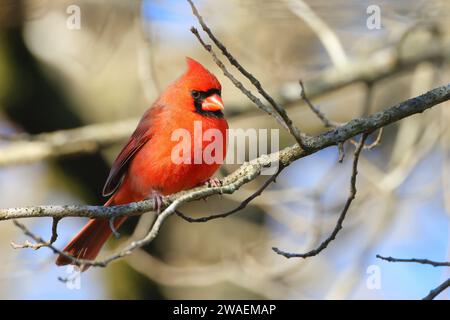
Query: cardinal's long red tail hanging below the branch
[89, 241]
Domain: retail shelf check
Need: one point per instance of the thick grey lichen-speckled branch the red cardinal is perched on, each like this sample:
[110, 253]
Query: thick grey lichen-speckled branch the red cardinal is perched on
[251, 169]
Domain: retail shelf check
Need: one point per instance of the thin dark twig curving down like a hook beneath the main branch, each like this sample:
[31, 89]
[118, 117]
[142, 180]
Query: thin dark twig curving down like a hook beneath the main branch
[343, 214]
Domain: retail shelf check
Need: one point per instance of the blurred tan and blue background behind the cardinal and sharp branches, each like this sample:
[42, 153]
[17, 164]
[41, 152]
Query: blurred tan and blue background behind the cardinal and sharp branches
[54, 76]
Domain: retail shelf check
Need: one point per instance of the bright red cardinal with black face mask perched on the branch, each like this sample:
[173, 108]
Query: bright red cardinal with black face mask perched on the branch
[145, 168]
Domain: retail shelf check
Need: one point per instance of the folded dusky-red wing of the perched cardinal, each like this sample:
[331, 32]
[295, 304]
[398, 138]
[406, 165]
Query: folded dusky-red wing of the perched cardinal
[140, 136]
